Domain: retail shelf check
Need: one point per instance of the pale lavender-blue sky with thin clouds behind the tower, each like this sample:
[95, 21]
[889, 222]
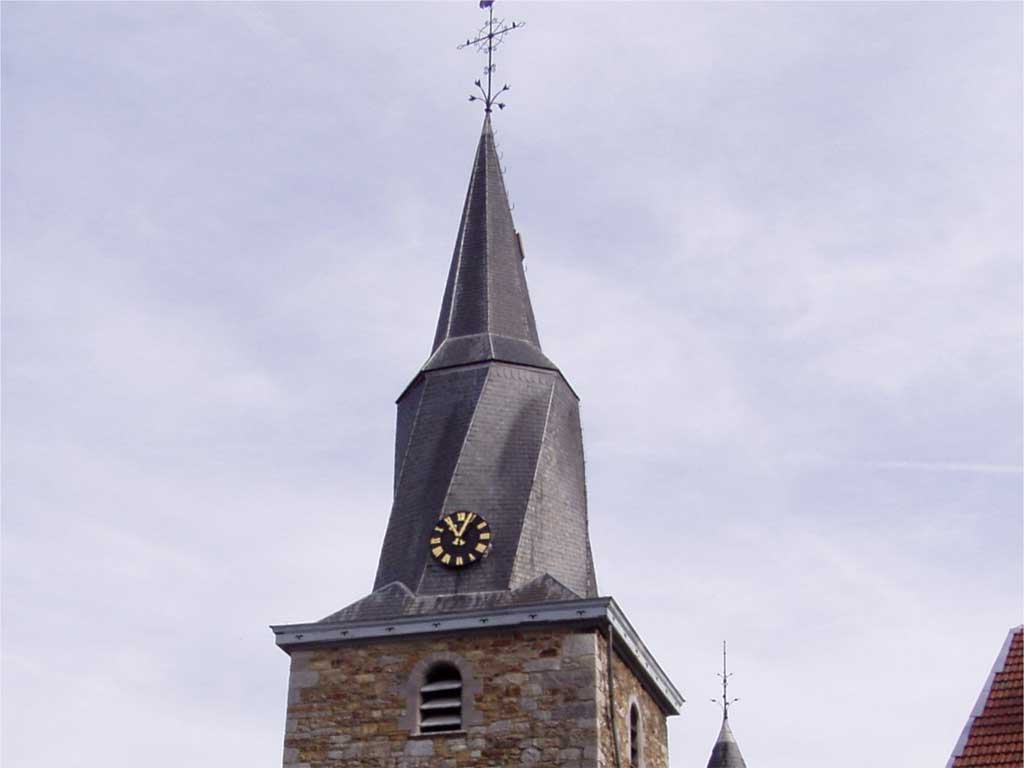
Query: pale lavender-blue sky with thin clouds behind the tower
[776, 249]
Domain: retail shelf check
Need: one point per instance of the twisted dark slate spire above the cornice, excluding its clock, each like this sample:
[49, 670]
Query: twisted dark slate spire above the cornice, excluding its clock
[489, 426]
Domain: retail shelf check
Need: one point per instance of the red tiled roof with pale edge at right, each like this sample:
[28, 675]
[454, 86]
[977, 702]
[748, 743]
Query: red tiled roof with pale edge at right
[994, 737]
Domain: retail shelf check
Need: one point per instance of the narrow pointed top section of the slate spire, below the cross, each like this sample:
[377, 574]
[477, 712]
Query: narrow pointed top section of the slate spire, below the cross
[487, 314]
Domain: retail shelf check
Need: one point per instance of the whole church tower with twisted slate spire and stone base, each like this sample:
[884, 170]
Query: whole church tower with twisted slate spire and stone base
[484, 642]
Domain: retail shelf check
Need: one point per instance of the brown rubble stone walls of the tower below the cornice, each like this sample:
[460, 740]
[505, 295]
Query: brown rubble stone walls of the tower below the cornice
[536, 698]
